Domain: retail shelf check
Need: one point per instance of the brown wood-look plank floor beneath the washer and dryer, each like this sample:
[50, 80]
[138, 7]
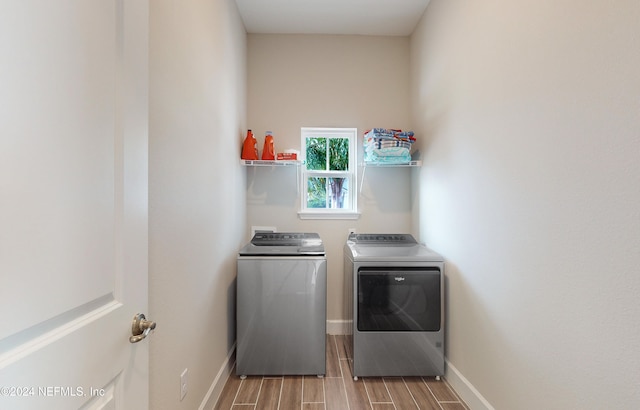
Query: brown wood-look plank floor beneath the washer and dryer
[337, 390]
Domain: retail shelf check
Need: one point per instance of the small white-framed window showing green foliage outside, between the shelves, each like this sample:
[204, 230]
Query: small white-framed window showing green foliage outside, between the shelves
[329, 180]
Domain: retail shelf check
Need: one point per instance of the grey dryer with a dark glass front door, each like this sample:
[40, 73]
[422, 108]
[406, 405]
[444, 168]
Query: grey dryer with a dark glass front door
[394, 297]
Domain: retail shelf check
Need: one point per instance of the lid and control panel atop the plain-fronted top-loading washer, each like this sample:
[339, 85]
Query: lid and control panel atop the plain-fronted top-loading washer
[284, 244]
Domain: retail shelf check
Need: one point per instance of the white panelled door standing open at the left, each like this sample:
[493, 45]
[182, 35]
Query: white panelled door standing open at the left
[73, 203]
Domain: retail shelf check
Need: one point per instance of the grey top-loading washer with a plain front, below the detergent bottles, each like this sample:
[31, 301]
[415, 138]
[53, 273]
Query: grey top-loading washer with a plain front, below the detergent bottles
[281, 300]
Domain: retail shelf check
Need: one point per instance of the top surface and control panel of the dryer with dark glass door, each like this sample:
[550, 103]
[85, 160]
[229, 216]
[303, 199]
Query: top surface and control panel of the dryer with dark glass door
[389, 247]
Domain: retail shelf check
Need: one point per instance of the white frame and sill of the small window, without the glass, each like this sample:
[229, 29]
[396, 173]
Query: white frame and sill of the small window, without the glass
[351, 174]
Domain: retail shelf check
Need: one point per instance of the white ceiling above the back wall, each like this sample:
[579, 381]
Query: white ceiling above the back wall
[364, 17]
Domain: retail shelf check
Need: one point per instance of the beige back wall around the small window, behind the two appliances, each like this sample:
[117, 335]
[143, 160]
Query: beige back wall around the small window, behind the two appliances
[299, 81]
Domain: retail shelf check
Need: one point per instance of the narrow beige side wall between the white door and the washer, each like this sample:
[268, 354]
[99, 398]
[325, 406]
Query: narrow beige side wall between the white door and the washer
[196, 193]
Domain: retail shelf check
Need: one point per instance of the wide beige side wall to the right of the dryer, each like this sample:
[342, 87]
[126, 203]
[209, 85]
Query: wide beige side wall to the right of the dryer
[530, 116]
